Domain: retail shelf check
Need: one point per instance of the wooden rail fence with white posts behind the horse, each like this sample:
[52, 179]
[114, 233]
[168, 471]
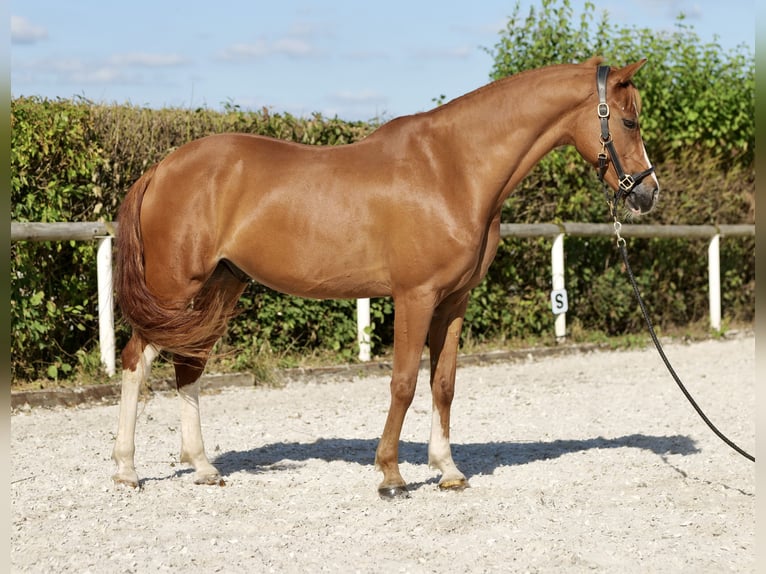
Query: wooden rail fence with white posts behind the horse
[104, 232]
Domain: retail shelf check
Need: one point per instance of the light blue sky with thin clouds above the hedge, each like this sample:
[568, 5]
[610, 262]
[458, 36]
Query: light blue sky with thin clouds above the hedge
[354, 59]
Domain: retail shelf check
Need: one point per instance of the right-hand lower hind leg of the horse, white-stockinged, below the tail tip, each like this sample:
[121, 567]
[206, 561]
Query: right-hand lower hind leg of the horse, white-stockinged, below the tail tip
[188, 372]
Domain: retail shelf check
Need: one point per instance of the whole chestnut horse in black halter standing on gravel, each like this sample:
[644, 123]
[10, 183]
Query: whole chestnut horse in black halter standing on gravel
[411, 212]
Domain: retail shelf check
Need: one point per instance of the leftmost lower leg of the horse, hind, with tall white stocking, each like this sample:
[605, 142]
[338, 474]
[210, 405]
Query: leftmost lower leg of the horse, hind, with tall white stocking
[137, 359]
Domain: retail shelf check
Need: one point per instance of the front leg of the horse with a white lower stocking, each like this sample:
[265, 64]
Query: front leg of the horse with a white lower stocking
[443, 341]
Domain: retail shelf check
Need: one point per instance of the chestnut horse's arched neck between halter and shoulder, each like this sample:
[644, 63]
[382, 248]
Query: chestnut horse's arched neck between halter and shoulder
[506, 127]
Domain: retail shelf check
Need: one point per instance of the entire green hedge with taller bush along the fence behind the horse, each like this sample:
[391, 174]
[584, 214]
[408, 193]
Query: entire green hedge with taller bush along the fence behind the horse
[73, 160]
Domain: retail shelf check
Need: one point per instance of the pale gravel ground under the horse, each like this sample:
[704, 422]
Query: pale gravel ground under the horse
[584, 462]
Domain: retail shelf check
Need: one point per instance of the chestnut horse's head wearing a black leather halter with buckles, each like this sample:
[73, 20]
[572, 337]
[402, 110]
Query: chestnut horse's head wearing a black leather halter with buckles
[608, 136]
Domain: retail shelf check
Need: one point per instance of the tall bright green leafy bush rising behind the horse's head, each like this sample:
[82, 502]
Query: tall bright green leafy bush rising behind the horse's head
[696, 96]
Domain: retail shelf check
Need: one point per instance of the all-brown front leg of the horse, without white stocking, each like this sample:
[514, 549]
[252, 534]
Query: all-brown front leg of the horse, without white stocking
[412, 316]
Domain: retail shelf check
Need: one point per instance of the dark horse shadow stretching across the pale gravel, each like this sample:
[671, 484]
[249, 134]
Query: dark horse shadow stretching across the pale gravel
[472, 458]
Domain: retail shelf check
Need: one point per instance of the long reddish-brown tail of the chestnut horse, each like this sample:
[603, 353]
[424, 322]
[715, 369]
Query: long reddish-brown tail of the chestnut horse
[187, 328]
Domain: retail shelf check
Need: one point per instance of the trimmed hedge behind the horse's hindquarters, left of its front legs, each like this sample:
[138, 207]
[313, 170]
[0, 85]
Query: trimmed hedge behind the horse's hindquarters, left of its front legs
[73, 160]
